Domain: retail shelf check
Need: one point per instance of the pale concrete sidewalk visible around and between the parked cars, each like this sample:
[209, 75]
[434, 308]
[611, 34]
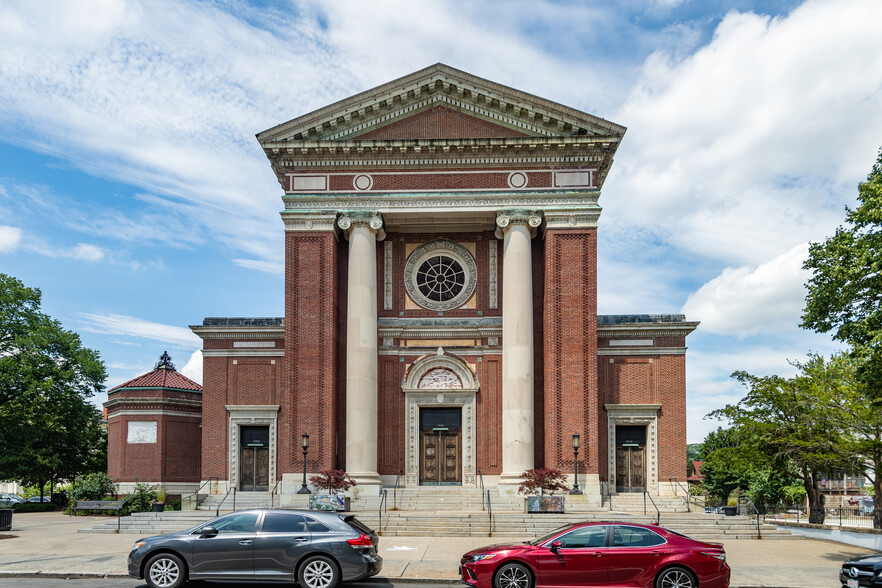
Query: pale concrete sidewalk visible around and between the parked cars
[47, 544]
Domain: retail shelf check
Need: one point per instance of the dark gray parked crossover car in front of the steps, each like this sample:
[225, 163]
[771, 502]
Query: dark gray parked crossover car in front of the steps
[315, 549]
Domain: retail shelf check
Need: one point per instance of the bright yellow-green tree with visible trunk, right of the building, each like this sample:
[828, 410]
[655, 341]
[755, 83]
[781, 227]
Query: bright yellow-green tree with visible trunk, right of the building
[795, 423]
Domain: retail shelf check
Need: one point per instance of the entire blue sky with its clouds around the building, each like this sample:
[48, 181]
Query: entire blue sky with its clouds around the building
[134, 194]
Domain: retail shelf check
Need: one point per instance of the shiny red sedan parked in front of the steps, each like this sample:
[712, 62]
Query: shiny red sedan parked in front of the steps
[599, 554]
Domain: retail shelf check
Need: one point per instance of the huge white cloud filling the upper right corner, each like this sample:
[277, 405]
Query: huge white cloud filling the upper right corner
[754, 142]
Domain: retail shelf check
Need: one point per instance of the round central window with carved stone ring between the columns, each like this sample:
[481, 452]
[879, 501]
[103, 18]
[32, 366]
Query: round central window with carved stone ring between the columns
[440, 275]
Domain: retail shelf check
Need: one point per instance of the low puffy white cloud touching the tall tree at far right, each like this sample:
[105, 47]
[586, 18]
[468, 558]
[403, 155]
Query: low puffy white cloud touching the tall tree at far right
[747, 300]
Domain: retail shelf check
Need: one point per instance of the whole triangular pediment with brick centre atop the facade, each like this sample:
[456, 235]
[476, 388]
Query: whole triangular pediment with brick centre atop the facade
[439, 102]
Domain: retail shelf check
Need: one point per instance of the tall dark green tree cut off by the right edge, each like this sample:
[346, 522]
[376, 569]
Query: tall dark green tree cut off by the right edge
[845, 290]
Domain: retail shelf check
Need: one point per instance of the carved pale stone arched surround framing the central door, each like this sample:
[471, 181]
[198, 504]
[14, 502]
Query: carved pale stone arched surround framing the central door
[439, 380]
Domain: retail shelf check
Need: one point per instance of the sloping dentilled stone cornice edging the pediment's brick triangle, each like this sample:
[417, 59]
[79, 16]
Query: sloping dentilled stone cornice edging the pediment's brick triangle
[441, 84]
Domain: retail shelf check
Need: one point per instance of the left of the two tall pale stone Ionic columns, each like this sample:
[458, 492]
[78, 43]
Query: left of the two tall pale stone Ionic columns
[363, 231]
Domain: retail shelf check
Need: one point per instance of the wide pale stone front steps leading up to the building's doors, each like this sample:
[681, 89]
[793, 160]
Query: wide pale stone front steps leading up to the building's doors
[458, 512]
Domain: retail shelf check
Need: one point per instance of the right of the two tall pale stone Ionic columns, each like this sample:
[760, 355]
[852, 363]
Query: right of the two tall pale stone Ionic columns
[517, 228]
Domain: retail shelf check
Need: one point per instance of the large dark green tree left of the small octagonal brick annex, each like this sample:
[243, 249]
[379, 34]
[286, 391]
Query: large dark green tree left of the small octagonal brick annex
[48, 429]
